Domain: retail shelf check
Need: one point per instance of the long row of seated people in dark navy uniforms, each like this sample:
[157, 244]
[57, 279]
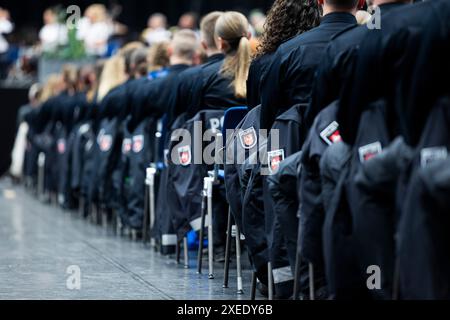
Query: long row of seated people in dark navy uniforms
[354, 203]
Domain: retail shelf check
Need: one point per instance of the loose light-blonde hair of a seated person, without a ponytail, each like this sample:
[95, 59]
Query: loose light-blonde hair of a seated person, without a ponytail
[113, 75]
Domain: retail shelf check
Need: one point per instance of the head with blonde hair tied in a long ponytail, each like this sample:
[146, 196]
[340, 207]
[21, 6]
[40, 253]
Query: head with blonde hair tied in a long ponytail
[232, 36]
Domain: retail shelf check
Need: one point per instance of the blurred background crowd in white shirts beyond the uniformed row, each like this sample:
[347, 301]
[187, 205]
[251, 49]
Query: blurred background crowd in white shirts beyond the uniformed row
[97, 34]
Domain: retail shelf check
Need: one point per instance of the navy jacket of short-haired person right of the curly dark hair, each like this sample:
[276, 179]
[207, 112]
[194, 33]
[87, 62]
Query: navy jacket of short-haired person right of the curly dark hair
[290, 76]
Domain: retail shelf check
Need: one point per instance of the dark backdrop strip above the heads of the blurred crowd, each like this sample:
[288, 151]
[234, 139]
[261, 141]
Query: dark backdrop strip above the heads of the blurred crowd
[27, 14]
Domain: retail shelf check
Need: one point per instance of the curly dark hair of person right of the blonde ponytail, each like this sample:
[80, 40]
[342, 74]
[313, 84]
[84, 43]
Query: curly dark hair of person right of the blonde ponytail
[286, 19]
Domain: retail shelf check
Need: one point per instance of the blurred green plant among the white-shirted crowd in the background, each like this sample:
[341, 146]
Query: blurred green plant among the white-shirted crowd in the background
[74, 48]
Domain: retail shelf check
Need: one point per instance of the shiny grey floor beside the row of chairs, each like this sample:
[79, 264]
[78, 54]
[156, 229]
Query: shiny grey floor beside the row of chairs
[39, 244]
